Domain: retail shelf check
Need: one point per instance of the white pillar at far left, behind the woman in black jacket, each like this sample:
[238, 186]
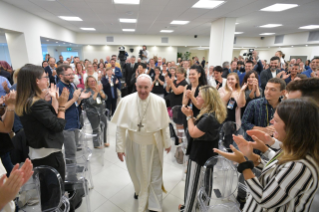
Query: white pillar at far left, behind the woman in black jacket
[23, 49]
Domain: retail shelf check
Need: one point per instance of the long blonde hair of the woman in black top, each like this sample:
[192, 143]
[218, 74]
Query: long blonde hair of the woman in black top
[212, 103]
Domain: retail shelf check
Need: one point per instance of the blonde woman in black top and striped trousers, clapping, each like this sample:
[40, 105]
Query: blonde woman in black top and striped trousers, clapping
[204, 135]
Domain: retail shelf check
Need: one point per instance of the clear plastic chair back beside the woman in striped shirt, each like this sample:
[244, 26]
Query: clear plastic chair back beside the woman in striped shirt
[219, 184]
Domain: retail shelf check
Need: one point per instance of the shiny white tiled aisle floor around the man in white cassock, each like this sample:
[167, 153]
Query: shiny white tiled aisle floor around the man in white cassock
[113, 190]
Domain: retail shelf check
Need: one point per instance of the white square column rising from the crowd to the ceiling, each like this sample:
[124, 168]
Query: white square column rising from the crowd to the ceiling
[221, 41]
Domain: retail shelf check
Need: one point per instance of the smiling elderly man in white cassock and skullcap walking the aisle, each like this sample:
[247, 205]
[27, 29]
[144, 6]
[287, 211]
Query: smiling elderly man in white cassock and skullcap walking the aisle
[142, 135]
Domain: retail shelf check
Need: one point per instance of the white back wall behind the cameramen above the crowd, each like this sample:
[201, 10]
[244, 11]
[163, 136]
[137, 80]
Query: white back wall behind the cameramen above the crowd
[91, 51]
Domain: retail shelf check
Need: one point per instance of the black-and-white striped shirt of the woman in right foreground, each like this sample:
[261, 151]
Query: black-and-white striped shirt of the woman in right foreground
[286, 187]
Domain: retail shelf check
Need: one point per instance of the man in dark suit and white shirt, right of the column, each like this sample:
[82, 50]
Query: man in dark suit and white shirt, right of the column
[272, 72]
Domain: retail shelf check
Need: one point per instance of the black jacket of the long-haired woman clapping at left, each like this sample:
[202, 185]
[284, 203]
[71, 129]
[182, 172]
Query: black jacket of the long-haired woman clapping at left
[42, 127]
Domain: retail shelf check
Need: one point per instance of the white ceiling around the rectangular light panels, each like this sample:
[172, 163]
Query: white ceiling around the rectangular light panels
[155, 15]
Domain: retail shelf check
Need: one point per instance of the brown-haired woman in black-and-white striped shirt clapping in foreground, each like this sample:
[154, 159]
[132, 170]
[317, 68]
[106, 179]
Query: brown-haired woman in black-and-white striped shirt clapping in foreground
[289, 180]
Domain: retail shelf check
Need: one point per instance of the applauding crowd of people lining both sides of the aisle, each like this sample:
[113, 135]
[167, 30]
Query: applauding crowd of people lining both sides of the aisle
[274, 106]
